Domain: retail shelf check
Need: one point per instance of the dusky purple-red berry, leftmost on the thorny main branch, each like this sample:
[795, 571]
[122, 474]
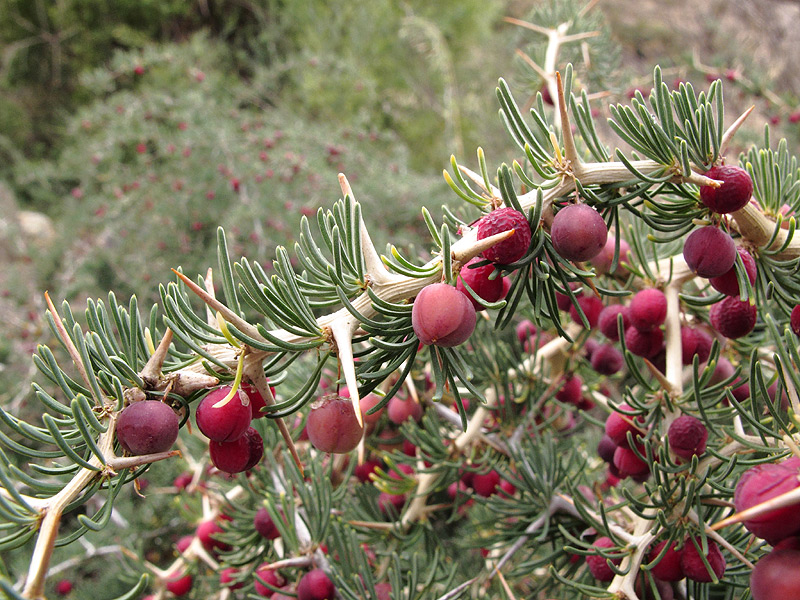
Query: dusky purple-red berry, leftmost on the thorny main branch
[147, 427]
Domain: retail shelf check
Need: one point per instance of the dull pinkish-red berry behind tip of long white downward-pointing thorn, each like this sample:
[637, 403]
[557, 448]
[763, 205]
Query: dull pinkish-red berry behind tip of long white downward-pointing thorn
[332, 424]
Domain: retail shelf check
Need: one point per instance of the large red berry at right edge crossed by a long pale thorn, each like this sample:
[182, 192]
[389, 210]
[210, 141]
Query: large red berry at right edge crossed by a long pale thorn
[759, 484]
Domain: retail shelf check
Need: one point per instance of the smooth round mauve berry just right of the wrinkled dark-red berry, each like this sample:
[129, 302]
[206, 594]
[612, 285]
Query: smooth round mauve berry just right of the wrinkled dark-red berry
[578, 232]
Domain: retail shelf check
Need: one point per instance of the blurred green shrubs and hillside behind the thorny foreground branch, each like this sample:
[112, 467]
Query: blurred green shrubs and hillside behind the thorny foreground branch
[130, 130]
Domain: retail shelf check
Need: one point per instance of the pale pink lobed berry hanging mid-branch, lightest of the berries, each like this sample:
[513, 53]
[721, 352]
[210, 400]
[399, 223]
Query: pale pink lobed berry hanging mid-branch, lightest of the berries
[442, 316]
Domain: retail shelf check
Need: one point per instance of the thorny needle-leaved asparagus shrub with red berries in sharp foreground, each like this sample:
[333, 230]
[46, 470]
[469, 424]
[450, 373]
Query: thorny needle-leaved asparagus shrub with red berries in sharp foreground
[494, 485]
